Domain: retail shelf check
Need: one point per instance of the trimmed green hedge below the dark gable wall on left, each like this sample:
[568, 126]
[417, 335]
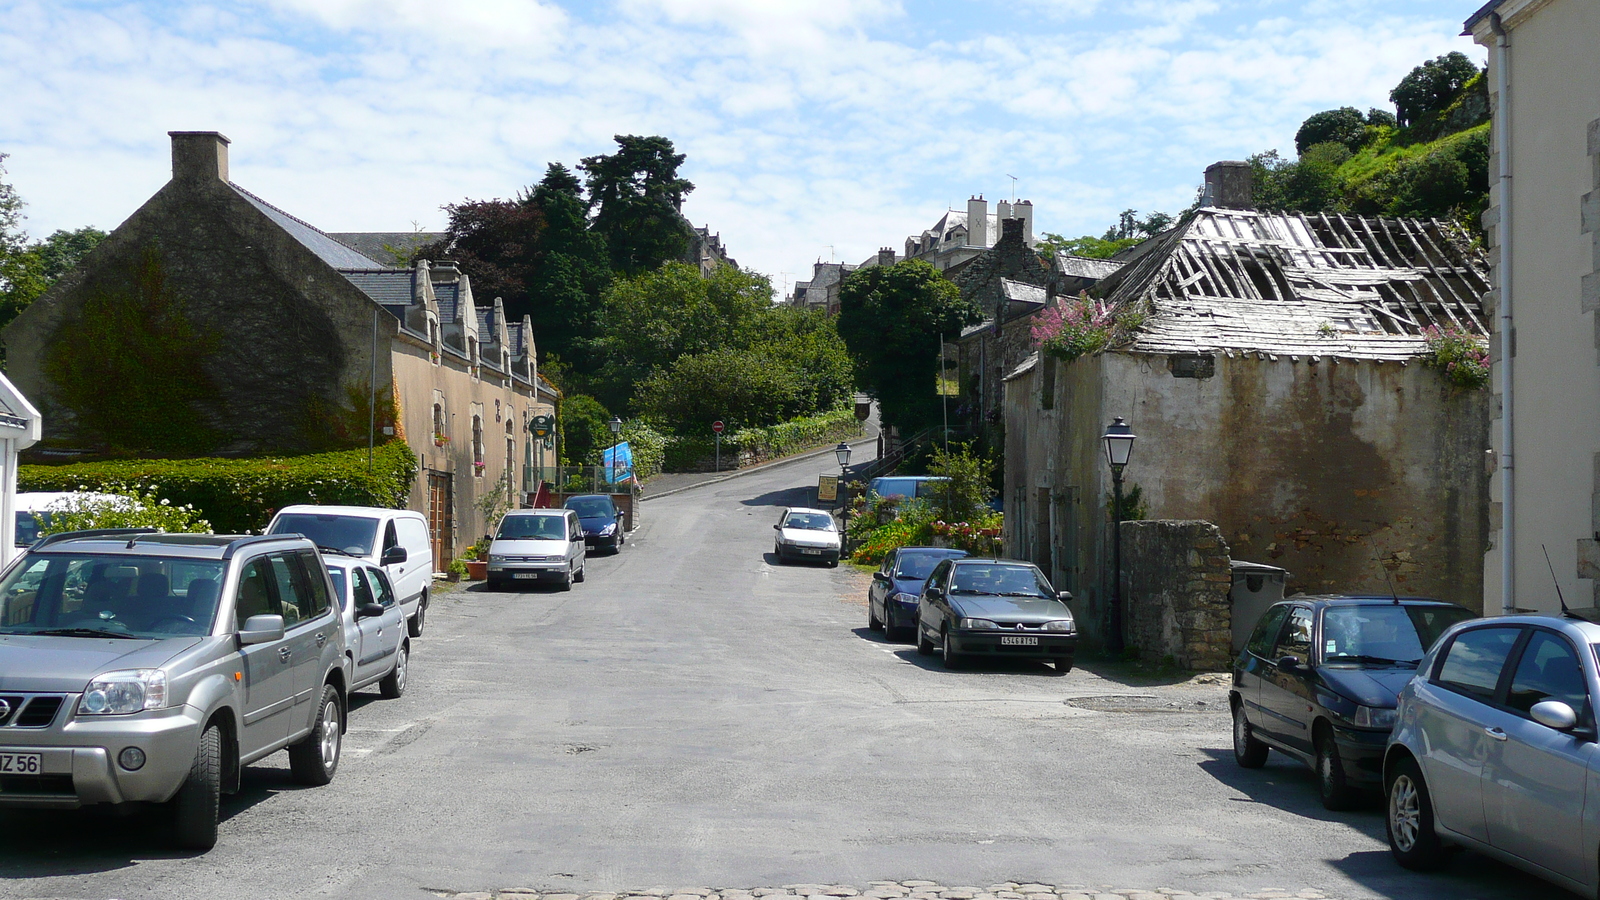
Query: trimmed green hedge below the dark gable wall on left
[241, 496]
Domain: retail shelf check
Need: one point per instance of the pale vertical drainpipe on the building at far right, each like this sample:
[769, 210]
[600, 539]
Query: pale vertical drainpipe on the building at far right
[1508, 342]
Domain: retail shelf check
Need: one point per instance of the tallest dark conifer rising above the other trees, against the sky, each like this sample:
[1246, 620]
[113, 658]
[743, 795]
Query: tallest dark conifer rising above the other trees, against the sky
[636, 198]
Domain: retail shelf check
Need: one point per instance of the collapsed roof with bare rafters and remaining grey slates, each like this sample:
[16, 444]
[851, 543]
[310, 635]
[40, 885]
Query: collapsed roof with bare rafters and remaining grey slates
[1239, 281]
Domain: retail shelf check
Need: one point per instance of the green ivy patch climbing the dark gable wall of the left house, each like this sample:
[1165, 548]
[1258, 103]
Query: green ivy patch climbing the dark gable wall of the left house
[138, 339]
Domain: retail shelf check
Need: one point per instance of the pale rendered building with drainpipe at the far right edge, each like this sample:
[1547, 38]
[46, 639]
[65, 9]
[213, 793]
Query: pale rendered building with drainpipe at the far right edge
[1545, 246]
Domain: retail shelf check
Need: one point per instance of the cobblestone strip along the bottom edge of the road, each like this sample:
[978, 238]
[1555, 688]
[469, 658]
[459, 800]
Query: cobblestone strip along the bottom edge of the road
[895, 891]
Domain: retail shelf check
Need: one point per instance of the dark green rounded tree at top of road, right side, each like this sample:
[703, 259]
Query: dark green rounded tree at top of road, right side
[892, 319]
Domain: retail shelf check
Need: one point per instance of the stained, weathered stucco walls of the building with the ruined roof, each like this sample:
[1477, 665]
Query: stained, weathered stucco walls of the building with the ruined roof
[1324, 470]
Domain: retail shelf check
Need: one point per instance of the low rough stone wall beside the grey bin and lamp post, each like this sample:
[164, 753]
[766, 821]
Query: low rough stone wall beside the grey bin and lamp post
[1175, 592]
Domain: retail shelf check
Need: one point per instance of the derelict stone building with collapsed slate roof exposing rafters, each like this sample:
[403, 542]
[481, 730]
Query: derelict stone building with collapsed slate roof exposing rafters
[1278, 390]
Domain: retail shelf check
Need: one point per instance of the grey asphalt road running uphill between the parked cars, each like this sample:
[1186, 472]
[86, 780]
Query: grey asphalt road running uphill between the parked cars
[695, 715]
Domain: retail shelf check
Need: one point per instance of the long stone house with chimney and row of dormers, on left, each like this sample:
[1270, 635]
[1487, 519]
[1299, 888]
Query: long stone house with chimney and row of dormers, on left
[212, 323]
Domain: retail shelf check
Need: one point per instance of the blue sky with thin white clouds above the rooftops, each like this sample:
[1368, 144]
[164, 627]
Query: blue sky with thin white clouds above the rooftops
[814, 129]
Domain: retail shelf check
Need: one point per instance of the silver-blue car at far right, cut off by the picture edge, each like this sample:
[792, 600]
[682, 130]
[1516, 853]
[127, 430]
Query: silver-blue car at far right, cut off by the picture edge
[1495, 750]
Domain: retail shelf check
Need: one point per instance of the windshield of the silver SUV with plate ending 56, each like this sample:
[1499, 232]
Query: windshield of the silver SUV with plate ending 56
[111, 597]
